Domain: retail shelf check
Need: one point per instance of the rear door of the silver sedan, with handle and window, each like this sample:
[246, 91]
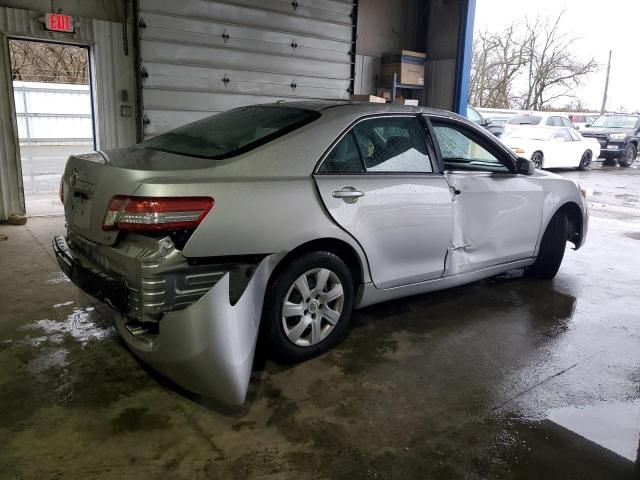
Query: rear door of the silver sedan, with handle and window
[380, 183]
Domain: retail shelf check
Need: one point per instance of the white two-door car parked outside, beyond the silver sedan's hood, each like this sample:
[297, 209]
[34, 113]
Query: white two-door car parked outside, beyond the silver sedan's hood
[553, 147]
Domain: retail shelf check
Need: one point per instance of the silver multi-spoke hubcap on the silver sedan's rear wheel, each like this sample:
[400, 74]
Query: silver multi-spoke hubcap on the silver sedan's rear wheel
[312, 307]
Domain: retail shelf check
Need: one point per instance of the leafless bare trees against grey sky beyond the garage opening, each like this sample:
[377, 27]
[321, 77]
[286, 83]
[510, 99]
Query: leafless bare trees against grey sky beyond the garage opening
[528, 66]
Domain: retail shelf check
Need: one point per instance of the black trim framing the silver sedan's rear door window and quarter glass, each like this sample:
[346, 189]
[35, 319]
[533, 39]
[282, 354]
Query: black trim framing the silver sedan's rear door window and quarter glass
[435, 164]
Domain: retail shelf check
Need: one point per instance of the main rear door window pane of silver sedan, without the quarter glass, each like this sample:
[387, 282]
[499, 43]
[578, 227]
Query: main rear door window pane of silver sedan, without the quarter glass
[393, 145]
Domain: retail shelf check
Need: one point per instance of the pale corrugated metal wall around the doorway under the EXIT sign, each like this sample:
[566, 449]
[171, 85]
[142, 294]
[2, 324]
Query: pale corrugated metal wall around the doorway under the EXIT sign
[112, 71]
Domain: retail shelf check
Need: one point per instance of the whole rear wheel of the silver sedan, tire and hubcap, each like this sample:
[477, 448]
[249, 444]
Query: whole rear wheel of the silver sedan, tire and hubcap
[308, 307]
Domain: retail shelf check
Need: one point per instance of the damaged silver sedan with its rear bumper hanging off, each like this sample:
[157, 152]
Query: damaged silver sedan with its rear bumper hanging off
[283, 218]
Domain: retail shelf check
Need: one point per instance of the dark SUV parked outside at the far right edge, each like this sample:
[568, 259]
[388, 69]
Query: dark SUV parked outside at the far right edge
[618, 135]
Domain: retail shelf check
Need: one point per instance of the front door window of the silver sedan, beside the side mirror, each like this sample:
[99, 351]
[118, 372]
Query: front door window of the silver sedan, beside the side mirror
[461, 151]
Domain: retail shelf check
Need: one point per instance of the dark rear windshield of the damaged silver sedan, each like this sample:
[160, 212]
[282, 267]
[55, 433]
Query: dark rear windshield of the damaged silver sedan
[233, 132]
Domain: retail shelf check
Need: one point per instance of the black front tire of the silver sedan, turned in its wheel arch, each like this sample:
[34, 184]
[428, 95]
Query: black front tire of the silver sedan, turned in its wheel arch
[554, 242]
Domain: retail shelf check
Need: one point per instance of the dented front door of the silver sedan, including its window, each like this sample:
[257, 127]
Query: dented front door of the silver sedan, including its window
[497, 213]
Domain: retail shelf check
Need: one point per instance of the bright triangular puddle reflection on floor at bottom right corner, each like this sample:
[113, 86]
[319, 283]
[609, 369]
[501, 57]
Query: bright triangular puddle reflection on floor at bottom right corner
[612, 425]
